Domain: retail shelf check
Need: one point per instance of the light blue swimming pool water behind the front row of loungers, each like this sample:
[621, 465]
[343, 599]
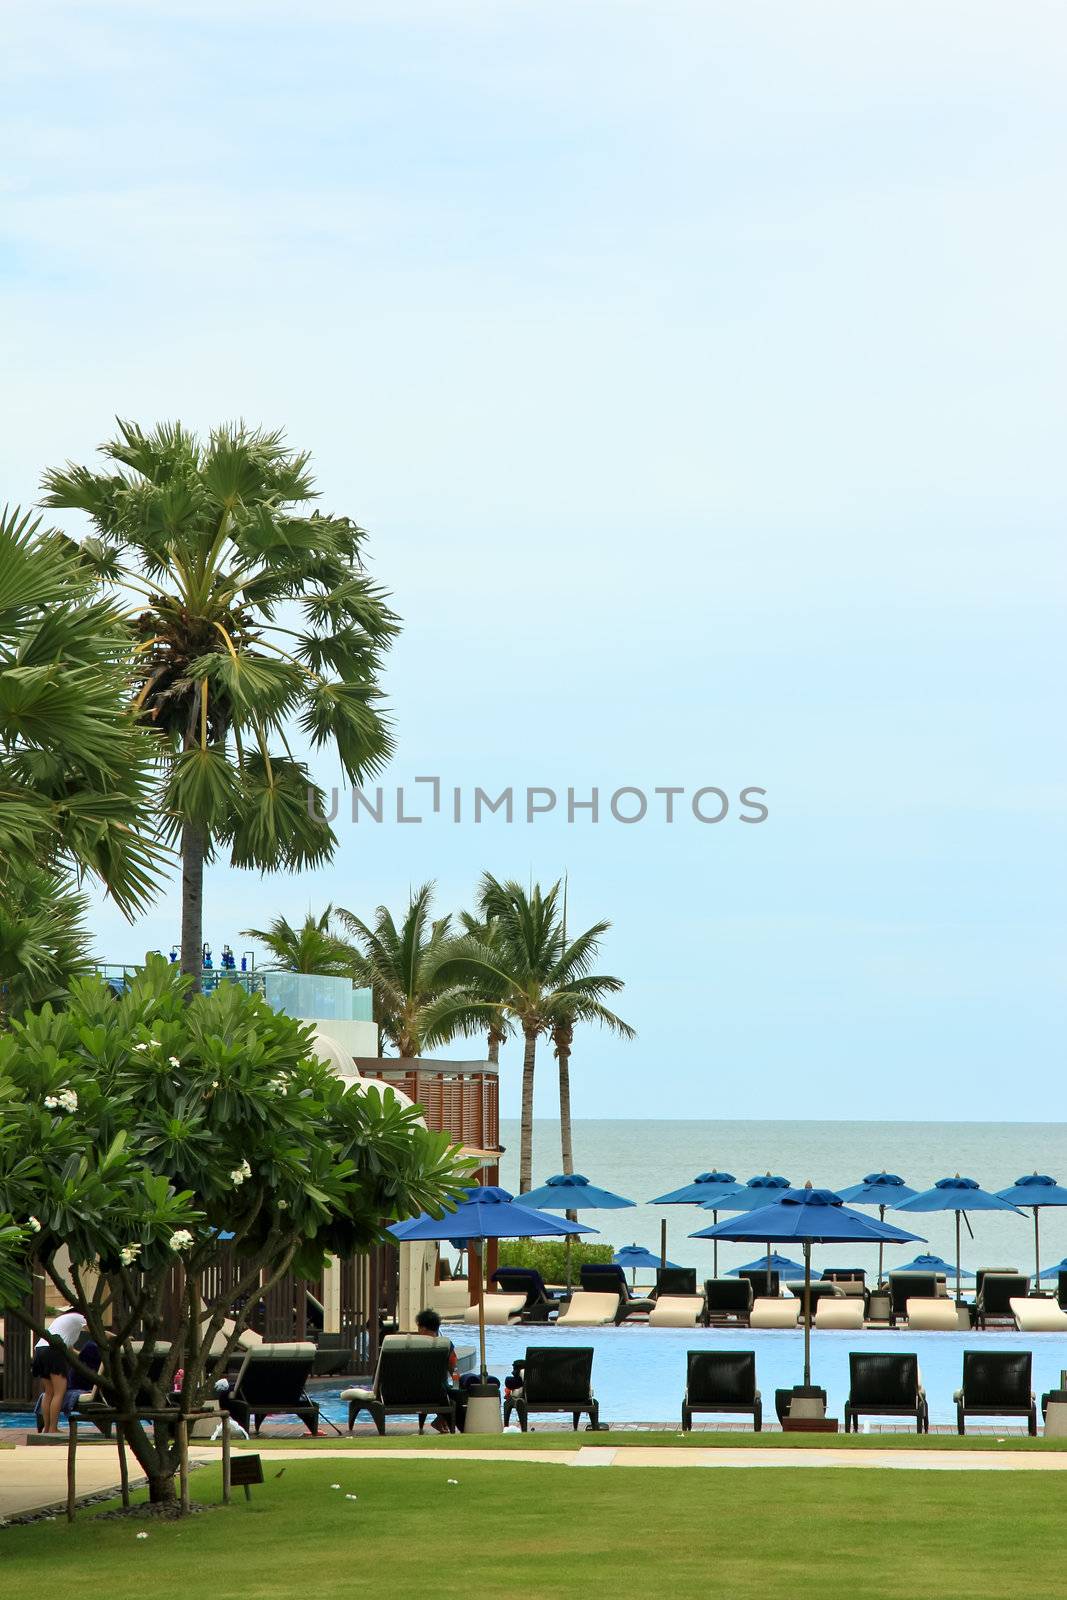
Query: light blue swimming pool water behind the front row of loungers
[639, 1372]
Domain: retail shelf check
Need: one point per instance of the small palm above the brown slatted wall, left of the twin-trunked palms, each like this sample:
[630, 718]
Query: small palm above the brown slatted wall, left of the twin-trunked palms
[401, 967]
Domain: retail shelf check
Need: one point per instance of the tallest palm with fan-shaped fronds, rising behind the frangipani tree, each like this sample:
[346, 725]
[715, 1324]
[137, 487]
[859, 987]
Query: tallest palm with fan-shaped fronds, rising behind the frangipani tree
[215, 546]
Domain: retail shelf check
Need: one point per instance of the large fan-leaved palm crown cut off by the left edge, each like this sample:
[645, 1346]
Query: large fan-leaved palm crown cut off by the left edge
[76, 772]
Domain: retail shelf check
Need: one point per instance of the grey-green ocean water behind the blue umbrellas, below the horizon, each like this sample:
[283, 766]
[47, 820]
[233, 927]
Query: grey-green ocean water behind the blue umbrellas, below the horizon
[644, 1159]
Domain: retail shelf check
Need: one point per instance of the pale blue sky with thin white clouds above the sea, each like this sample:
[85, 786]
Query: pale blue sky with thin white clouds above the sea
[698, 375]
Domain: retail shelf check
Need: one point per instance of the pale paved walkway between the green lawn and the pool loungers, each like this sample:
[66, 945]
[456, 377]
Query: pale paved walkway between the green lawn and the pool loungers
[34, 1478]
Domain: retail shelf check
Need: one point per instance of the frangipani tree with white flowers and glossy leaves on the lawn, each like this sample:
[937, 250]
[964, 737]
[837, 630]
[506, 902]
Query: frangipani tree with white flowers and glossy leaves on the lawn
[135, 1130]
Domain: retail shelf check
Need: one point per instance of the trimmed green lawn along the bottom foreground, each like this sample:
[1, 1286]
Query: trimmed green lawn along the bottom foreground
[738, 1535]
